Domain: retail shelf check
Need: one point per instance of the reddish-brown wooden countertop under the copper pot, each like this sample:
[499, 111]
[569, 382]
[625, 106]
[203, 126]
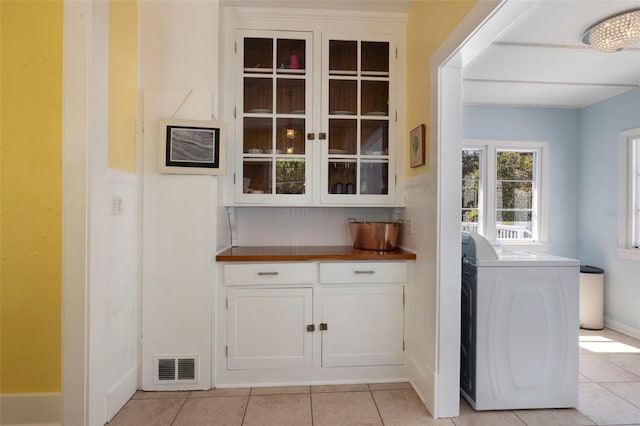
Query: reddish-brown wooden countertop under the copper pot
[306, 253]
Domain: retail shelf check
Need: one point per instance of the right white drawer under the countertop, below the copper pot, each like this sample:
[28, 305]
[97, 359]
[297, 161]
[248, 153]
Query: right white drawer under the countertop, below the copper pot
[363, 272]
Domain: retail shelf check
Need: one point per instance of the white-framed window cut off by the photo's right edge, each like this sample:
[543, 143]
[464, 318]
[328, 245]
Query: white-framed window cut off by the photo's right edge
[629, 236]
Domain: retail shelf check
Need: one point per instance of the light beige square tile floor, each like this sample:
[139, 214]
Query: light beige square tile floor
[609, 395]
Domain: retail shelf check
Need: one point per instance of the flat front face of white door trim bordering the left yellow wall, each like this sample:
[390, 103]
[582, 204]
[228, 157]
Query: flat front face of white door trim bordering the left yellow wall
[77, 19]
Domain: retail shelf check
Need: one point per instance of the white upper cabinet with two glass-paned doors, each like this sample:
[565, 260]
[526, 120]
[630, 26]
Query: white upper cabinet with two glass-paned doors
[315, 112]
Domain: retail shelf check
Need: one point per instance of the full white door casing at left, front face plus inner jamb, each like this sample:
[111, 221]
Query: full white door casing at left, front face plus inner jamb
[84, 211]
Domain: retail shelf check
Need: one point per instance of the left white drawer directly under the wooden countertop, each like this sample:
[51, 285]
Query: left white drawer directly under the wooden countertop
[269, 273]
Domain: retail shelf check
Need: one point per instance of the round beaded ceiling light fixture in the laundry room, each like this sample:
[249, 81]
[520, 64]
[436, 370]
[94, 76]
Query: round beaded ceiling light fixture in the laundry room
[615, 33]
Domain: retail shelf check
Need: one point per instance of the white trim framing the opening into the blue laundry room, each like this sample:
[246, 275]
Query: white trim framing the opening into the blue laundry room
[477, 30]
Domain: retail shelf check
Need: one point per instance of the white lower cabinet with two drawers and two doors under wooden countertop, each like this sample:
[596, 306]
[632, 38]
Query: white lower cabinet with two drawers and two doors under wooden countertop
[311, 322]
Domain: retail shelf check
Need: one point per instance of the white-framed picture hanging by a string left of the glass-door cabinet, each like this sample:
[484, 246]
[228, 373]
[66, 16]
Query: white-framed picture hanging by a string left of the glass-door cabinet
[192, 147]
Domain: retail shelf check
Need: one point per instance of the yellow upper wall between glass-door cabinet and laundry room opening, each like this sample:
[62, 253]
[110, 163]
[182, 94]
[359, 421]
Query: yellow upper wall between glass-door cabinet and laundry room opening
[430, 23]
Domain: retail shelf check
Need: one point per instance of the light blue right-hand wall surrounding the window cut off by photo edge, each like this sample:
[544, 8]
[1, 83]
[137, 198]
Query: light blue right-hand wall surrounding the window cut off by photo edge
[599, 129]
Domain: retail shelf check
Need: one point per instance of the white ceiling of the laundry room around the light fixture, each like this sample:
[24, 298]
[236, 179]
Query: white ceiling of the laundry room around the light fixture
[540, 60]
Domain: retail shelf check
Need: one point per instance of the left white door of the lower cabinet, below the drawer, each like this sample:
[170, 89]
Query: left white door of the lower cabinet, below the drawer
[267, 328]
